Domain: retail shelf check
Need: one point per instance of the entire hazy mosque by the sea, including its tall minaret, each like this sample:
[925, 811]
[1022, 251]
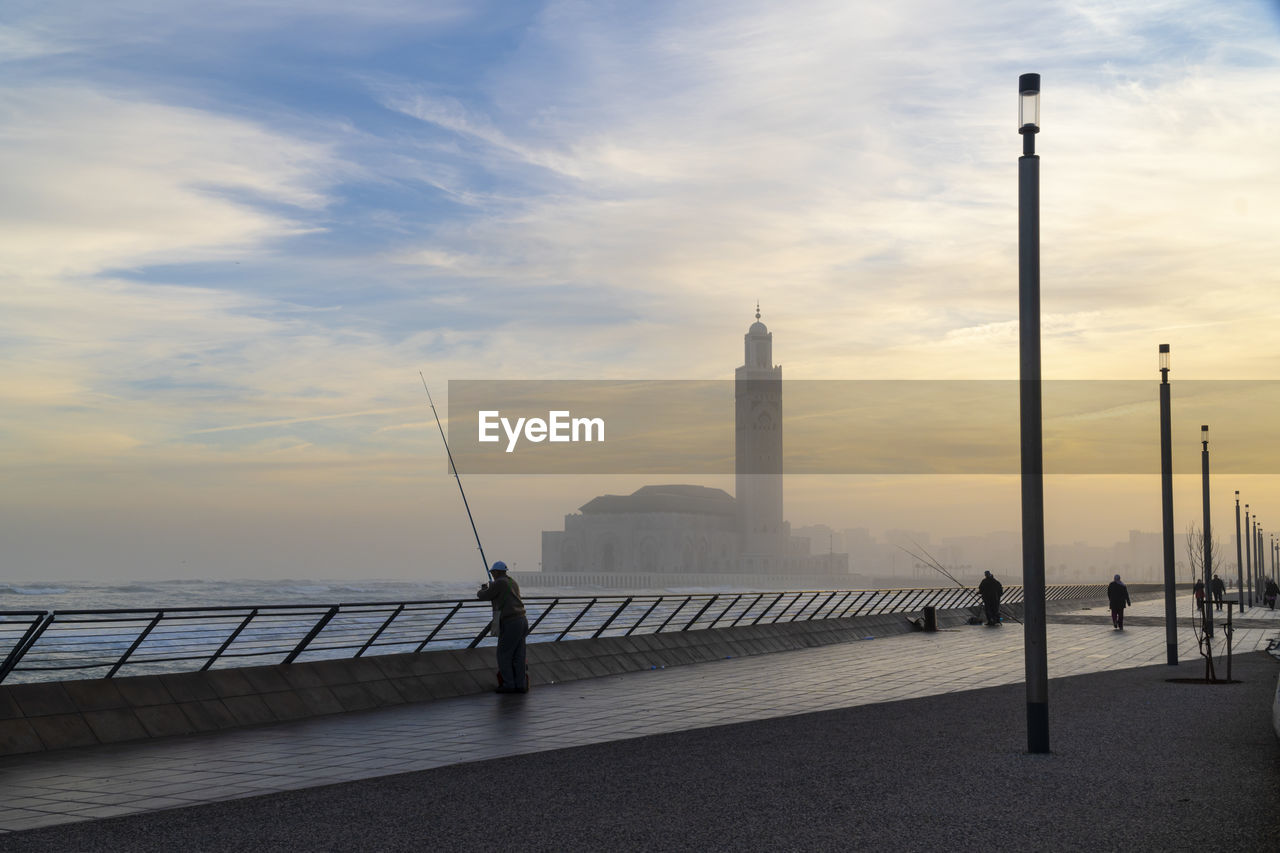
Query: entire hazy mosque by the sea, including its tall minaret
[694, 536]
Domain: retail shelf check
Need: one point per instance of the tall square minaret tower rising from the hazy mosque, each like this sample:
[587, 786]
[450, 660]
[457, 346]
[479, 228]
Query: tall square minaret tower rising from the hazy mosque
[758, 449]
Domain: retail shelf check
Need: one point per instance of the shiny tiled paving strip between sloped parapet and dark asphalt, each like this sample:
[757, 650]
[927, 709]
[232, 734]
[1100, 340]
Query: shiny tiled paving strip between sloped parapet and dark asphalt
[122, 779]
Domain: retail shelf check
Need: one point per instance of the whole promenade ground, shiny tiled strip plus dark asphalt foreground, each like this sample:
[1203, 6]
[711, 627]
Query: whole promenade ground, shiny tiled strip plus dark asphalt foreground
[877, 745]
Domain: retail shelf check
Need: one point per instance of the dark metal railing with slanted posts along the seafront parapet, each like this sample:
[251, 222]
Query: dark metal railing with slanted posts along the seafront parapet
[39, 646]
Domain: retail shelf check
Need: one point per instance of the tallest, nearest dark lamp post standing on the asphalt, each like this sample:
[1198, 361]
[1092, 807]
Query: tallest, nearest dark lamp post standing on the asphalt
[1035, 646]
